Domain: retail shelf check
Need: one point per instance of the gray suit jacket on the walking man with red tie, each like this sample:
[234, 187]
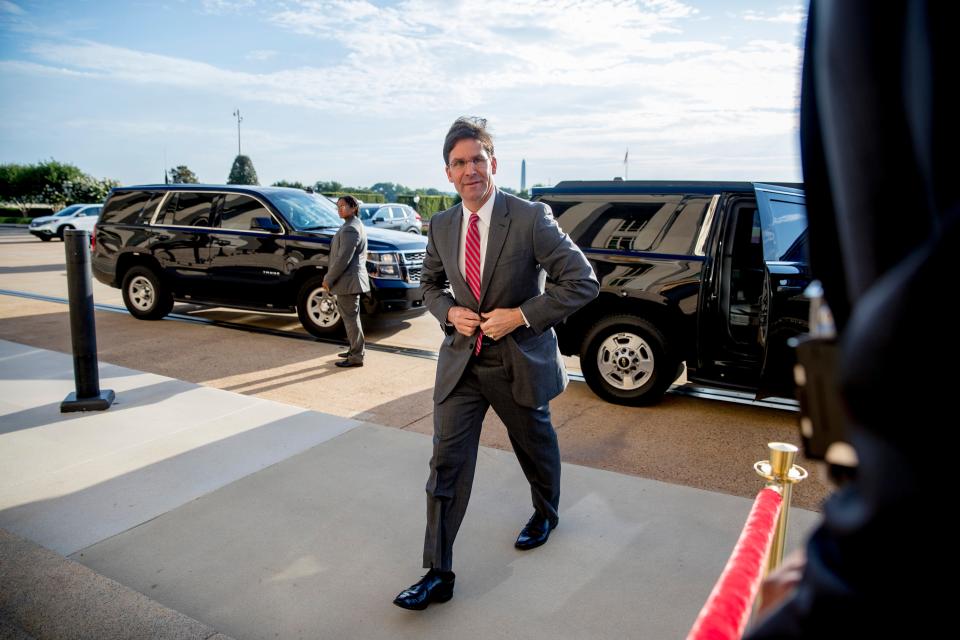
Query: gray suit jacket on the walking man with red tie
[524, 246]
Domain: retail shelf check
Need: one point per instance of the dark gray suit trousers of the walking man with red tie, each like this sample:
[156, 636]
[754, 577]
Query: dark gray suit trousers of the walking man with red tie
[457, 422]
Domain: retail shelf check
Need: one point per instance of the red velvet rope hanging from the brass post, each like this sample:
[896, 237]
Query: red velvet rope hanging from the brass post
[727, 610]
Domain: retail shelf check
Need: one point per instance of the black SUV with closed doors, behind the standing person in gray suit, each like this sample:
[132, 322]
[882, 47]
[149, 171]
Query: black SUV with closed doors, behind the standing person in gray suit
[260, 248]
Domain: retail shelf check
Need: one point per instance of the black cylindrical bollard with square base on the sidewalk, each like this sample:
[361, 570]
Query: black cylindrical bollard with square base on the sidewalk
[83, 330]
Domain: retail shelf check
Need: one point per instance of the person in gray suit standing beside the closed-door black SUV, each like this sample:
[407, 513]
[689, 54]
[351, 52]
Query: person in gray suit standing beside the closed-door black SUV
[347, 276]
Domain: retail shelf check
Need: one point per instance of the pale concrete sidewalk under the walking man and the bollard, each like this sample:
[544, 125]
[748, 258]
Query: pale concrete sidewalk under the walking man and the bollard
[194, 511]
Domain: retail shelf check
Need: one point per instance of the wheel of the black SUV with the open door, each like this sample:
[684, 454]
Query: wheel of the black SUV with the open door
[627, 361]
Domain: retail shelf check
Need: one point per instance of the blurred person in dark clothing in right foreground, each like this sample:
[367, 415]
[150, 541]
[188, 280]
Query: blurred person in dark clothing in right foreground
[880, 138]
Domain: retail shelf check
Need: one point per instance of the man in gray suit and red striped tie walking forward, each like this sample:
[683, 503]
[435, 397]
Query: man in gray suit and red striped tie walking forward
[484, 279]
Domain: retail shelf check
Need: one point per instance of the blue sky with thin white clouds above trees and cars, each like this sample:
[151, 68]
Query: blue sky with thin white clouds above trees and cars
[363, 92]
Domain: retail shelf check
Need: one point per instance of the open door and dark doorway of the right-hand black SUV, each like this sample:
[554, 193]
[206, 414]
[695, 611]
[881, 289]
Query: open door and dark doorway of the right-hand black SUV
[752, 300]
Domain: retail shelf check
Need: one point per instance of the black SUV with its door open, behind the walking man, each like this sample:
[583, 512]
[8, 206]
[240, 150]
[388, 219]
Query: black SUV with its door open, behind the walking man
[707, 273]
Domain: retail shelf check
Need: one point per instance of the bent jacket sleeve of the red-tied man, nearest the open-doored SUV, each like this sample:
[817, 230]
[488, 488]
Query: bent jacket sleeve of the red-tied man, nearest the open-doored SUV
[574, 283]
